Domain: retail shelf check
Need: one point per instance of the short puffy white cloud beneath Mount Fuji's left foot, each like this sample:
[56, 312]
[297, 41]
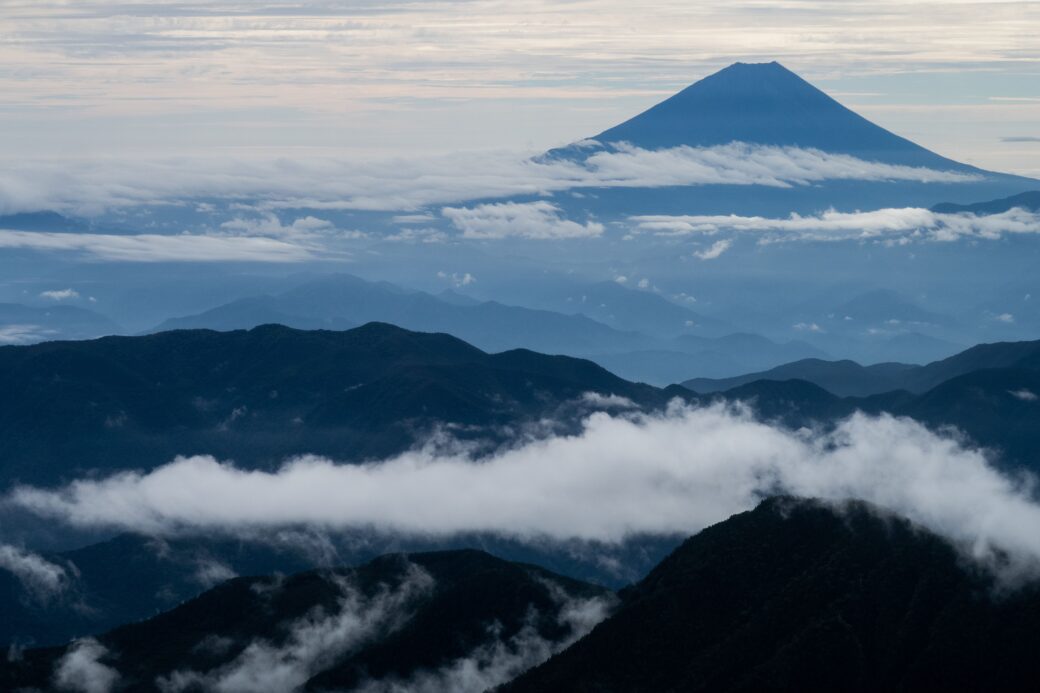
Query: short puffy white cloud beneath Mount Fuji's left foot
[532, 220]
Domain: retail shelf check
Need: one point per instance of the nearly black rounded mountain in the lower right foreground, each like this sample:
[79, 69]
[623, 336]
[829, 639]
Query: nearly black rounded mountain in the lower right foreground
[795, 597]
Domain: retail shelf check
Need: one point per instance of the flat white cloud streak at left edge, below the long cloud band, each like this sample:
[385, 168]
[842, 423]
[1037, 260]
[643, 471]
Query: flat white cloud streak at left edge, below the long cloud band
[155, 248]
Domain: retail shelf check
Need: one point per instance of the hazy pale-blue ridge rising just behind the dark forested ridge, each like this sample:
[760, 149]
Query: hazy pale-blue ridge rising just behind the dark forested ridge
[639, 336]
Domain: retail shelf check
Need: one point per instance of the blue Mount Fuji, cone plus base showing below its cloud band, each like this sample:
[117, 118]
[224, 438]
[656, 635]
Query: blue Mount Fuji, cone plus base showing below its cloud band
[766, 107]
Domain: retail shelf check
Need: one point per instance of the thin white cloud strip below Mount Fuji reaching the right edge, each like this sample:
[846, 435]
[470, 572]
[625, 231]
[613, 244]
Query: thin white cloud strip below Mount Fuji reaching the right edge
[906, 223]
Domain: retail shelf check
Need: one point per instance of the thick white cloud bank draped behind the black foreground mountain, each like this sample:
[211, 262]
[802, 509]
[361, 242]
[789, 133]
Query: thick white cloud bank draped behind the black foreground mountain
[695, 467]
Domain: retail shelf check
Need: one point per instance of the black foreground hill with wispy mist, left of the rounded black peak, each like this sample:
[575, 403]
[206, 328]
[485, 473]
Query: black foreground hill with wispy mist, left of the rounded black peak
[389, 620]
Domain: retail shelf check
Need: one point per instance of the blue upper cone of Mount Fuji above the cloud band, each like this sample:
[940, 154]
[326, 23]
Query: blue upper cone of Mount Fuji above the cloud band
[767, 105]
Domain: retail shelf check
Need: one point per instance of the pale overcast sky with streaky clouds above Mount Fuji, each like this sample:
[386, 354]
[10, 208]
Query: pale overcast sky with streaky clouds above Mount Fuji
[366, 79]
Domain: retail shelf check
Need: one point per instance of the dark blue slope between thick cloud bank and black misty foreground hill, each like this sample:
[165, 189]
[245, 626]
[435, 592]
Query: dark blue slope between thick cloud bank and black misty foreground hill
[131, 578]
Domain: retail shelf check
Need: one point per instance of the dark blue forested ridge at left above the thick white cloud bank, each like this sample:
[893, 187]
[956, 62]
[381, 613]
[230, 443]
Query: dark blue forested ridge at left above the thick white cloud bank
[259, 396]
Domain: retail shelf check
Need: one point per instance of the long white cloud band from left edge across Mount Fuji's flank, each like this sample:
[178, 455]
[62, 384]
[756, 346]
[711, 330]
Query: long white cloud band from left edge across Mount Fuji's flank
[417, 183]
